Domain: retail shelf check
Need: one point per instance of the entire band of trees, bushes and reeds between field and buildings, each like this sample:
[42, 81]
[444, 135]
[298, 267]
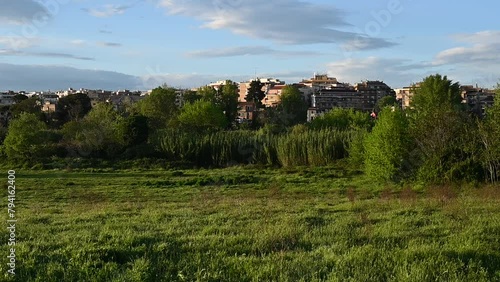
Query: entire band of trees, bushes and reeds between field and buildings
[436, 140]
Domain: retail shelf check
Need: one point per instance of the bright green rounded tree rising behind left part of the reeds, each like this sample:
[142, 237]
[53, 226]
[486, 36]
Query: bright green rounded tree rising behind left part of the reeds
[202, 116]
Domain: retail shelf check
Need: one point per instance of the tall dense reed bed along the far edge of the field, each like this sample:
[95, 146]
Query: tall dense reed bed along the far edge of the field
[226, 148]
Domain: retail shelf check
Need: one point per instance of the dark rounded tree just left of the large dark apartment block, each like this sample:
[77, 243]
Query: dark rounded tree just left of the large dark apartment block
[293, 108]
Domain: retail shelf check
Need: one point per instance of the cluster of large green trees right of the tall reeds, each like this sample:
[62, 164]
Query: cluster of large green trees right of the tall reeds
[437, 140]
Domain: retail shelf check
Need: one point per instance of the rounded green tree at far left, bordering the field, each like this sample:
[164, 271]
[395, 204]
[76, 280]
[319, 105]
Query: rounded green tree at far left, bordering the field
[26, 135]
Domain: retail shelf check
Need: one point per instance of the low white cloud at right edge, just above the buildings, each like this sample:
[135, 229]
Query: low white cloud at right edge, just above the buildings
[476, 61]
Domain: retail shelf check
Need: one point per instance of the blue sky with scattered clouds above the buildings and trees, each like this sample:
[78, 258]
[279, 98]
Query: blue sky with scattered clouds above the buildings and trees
[141, 44]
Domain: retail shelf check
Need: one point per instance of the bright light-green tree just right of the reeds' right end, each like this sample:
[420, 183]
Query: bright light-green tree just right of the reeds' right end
[387, 147]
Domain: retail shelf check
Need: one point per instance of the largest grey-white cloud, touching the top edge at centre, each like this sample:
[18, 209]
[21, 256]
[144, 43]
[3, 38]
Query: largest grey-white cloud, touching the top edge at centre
[283, 21]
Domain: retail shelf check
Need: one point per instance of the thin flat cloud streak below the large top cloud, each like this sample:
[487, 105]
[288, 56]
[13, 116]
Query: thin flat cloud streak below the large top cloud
[247, 51]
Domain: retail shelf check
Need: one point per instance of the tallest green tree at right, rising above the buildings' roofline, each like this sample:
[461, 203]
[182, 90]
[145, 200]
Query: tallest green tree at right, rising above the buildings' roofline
[436, 120]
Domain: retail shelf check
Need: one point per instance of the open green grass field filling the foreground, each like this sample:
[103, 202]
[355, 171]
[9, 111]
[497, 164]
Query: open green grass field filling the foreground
[249, 224]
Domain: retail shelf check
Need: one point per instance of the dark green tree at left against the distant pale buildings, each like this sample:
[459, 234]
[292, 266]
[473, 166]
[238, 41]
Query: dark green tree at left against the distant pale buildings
[72, 107]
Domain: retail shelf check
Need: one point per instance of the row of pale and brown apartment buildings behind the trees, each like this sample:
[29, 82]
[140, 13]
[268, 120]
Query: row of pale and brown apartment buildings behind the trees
[321, 92]
